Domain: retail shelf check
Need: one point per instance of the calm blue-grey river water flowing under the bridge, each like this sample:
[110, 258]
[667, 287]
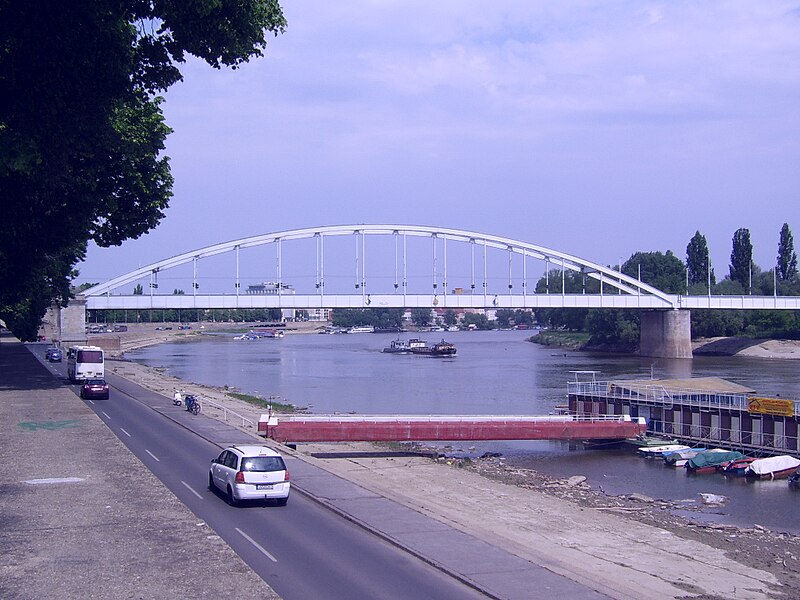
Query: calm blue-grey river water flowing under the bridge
[495, 372]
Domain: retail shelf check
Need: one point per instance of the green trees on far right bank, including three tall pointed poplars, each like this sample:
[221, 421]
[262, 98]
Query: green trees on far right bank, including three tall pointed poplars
[619, 328]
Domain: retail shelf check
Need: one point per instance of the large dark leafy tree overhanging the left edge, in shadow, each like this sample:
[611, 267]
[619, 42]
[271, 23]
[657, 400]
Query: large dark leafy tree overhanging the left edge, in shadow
[81, 128]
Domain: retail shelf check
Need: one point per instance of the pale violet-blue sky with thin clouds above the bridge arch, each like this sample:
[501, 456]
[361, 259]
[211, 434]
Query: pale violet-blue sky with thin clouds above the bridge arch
[595, 128]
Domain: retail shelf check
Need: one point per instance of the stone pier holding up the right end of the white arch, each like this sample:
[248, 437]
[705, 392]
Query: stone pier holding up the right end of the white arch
[666, 334]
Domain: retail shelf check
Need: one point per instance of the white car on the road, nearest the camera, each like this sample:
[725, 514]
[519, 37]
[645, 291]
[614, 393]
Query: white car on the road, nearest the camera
[250, 473]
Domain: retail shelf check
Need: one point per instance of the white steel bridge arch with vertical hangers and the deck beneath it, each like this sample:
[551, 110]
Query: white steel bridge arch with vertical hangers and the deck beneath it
[631, 292]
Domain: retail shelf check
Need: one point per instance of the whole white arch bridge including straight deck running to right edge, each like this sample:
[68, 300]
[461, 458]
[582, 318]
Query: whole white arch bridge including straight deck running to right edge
[390, 266]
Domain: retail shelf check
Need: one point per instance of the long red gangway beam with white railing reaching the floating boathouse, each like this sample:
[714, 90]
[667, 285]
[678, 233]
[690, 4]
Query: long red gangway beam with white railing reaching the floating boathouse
[387, 428]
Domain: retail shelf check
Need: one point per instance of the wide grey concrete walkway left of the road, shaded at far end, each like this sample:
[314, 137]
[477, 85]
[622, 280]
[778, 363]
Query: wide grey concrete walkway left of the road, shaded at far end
[80, 517]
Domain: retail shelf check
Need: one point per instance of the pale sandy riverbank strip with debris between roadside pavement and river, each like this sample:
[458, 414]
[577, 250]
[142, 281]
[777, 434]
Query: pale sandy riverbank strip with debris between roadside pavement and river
[624, 546]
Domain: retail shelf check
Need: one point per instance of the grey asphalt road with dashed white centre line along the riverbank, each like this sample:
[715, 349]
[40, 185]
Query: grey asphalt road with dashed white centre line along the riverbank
[302, 550]
